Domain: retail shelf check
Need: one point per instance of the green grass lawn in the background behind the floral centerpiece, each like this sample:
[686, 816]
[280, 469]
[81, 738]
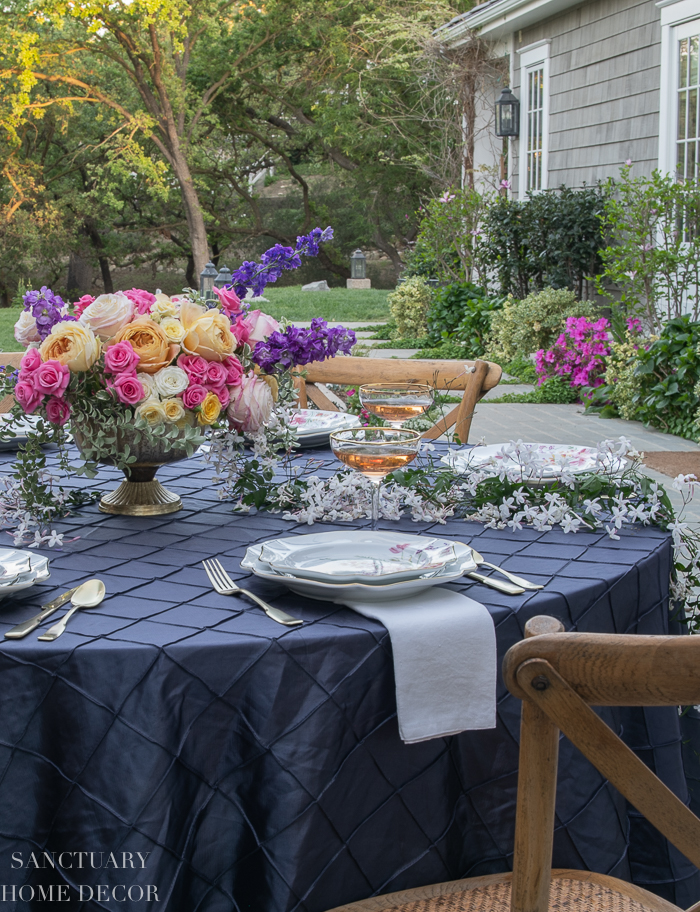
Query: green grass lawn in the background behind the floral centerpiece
[338, 304]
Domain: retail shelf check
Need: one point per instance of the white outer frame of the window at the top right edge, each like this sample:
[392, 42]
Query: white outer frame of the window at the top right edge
[679, 19]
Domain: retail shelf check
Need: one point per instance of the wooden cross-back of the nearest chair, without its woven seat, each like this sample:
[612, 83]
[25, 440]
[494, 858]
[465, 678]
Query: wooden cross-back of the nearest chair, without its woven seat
[558, 676]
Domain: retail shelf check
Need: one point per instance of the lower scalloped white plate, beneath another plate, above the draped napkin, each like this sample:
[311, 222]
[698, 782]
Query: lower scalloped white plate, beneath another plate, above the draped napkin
[360, 592]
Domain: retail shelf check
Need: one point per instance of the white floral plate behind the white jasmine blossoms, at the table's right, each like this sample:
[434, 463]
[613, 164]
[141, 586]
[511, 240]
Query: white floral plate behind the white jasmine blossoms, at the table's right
[552, 459]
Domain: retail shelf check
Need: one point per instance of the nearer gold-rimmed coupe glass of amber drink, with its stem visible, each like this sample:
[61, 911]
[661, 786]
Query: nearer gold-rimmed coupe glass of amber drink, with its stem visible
[376, 452]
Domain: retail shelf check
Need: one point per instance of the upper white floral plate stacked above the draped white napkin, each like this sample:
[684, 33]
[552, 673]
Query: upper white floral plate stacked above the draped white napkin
[360, 557]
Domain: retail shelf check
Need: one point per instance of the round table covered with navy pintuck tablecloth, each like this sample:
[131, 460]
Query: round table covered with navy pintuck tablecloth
[179, 742]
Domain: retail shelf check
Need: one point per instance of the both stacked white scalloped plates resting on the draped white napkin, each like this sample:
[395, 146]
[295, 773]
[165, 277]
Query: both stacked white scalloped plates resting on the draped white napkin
[359, 566]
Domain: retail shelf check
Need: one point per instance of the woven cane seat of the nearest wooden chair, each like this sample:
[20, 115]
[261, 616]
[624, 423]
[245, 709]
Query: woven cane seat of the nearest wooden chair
[569, 893]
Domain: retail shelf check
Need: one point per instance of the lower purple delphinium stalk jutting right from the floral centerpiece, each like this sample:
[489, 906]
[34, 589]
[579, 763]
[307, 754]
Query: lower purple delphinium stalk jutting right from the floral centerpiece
[297, 345]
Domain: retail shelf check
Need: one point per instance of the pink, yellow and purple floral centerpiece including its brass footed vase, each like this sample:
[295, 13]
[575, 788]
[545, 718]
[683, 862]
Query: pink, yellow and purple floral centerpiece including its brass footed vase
[139, 377]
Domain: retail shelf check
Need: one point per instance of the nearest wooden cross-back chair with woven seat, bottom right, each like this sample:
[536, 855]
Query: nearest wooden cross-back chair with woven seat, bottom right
[559, 676]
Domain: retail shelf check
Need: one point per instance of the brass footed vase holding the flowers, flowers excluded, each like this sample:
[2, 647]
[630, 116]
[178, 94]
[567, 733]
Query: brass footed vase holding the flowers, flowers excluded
[140, 494]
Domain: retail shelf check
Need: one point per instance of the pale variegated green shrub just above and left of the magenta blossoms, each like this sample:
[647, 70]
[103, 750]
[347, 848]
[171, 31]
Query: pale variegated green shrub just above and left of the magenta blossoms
[523, 327]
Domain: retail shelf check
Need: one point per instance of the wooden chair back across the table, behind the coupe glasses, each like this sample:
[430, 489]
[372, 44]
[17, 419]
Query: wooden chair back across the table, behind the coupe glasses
[474, 377]
